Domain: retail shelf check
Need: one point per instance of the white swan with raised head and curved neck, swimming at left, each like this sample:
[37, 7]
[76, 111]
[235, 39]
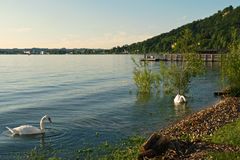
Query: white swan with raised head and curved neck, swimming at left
[30, 130]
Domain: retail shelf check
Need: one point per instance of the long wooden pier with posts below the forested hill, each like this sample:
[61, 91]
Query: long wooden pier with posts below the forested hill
[180, 57]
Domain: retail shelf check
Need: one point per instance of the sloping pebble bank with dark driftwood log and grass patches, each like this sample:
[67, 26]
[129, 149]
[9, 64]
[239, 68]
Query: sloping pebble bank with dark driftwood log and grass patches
[197, 135]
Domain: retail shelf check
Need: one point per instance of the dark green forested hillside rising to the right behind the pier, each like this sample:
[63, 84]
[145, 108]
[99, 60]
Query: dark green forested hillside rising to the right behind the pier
[211, 33]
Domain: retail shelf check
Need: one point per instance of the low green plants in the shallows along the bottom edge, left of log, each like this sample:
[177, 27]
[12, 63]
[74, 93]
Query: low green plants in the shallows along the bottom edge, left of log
[126, 149]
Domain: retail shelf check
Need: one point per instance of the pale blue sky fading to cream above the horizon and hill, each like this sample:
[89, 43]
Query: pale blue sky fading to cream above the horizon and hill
[96, 23]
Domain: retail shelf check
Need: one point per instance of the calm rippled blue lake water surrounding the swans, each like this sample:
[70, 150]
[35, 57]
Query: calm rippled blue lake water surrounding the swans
[85, 95]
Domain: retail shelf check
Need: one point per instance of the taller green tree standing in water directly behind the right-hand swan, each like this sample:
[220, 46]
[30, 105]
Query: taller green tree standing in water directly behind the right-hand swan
[176, 77]
